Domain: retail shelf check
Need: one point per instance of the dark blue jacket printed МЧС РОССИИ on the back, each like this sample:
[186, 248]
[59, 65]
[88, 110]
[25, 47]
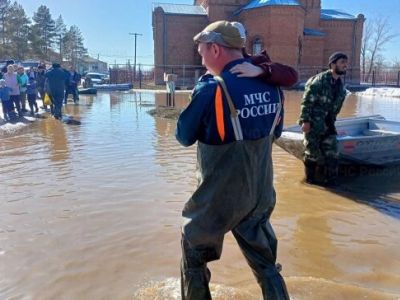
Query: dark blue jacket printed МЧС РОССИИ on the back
[257, 103]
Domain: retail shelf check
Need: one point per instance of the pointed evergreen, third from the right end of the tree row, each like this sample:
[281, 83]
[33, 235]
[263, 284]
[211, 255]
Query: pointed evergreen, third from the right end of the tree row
[45, 27]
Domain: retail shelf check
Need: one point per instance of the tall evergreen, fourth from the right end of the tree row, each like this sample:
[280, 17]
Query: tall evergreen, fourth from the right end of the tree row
[18, 31]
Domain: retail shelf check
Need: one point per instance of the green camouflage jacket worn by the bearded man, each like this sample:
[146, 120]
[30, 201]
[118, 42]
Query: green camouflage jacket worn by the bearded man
[322, 101]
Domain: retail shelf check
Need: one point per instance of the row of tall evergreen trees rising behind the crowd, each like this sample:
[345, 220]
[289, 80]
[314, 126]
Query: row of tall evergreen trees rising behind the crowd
[21, 40]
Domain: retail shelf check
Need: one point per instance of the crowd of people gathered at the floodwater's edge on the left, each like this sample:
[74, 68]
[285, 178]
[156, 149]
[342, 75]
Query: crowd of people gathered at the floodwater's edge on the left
[17, 87]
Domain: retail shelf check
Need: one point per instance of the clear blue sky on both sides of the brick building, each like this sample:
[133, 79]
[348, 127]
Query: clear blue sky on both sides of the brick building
[106, 25]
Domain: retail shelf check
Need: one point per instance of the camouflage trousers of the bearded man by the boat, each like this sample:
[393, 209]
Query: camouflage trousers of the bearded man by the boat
[320, 147]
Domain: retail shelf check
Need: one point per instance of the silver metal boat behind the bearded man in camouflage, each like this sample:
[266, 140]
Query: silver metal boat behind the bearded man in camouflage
[369, 140]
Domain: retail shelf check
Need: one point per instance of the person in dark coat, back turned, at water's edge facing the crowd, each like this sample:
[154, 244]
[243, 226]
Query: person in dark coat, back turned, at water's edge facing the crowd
[56, 79]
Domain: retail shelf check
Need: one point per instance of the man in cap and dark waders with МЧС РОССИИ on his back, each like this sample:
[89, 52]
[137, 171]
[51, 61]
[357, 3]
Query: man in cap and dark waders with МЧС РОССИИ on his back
[233, 119]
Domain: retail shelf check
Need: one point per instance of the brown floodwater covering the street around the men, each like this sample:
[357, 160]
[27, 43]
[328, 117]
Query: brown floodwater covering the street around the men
[93, 212]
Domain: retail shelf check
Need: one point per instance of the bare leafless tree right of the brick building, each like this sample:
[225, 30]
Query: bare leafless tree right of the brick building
[377, 33]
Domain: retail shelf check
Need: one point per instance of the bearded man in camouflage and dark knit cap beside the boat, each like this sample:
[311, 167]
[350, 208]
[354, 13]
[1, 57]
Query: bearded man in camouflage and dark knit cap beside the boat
[322, 100]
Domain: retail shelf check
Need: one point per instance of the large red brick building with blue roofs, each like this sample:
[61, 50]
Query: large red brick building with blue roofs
[295, 32]
